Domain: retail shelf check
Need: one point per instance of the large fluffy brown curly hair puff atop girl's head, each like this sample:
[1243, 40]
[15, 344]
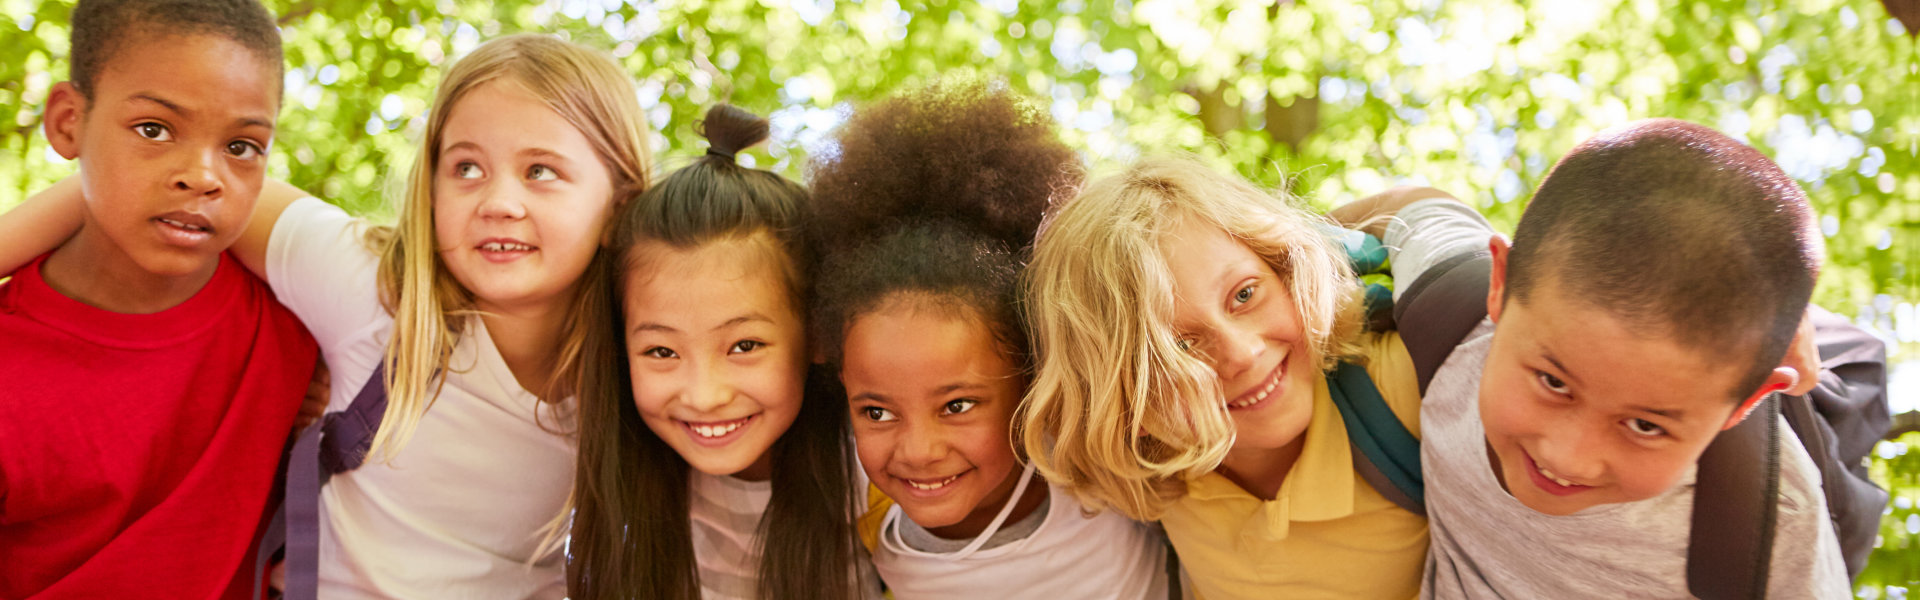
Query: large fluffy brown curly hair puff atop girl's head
[967, 151]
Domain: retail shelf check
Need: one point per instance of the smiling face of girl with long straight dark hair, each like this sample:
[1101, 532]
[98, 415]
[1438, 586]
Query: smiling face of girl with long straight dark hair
[717, 351]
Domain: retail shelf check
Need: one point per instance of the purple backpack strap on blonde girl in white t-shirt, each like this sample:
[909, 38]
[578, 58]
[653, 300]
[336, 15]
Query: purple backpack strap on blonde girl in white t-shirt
[339, 443]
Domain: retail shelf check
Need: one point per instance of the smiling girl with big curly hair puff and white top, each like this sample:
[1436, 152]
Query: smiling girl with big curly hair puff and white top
[926, 212]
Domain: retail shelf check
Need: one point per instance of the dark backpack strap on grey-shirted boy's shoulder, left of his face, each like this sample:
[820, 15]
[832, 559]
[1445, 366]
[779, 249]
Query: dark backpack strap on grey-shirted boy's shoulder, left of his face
[1439, 311]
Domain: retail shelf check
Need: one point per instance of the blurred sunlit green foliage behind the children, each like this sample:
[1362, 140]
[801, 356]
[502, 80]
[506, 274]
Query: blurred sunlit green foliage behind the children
[1328, 101]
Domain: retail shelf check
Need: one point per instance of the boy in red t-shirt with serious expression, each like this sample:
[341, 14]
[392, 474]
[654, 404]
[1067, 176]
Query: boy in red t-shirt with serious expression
[147, 380]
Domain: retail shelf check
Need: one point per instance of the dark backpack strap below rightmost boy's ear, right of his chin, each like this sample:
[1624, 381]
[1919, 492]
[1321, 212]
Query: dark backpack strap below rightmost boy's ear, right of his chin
[1735, 509]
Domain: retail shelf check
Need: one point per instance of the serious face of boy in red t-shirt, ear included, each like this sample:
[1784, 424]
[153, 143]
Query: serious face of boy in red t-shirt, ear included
[172, 147]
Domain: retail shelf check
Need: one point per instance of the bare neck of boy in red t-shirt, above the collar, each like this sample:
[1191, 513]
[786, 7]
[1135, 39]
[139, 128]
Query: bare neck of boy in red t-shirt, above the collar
[97, 272]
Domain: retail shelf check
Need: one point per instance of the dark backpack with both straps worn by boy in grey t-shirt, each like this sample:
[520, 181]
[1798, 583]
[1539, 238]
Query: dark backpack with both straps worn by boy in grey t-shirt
[1733, 536]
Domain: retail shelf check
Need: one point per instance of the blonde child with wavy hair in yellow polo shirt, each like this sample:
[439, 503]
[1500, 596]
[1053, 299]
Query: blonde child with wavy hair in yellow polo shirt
[1184, 326]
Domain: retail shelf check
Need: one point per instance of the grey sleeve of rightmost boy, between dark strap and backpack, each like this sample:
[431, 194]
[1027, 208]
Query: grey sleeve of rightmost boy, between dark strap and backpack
[1808, 562]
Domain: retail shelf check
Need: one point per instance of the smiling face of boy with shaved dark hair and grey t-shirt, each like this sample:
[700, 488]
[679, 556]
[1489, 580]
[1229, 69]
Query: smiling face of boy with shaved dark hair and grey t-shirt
[1583, 411]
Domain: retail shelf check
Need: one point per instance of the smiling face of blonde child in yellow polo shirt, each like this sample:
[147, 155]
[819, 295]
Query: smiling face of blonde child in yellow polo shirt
[1239, 316]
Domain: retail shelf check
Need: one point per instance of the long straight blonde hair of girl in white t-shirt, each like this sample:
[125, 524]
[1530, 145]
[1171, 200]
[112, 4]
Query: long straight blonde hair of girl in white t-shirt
[429, 307]
